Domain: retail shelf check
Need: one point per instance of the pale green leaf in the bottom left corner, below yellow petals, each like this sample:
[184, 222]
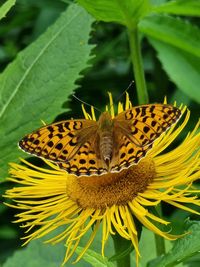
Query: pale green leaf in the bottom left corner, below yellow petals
[39, 254]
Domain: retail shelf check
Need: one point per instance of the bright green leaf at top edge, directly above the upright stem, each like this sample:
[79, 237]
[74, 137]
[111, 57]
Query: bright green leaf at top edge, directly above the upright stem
[125, 12]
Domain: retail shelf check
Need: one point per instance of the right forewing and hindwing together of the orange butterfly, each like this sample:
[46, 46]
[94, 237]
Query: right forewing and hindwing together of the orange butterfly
[137, 129]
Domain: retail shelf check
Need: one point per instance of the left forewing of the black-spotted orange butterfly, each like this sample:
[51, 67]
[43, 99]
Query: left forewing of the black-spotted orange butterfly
[60, 141]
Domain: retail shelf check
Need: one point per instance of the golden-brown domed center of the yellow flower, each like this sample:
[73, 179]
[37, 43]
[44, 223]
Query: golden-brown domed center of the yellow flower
[112, 188]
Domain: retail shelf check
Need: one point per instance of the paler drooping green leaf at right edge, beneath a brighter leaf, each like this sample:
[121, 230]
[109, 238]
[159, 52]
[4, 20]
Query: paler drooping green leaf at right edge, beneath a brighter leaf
[181, 67]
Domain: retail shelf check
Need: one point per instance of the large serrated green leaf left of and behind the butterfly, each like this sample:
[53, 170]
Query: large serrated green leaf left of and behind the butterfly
[35, 85]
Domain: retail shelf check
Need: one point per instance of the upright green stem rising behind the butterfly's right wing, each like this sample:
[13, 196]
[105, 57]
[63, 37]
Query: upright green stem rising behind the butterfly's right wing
[138, 69]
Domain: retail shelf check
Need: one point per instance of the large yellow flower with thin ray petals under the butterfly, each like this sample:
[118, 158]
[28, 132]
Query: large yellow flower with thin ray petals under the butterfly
[50, 198]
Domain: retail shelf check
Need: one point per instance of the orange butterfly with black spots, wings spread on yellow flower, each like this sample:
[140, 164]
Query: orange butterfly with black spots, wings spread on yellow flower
[87, 147]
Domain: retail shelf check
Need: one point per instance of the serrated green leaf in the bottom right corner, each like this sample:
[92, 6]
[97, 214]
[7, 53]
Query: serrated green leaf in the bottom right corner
[183, 248]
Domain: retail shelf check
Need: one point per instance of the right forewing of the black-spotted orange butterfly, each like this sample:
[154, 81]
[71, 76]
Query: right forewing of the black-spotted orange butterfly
[144, 124]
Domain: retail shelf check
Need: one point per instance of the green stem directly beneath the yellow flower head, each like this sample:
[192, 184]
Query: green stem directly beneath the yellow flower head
[120, 245]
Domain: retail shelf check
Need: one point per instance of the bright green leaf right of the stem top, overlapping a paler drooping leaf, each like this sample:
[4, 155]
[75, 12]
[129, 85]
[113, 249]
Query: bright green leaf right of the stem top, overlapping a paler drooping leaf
[173, 31]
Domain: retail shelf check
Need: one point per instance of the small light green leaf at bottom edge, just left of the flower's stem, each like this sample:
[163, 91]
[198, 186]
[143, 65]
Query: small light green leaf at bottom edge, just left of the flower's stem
[94, 258]
